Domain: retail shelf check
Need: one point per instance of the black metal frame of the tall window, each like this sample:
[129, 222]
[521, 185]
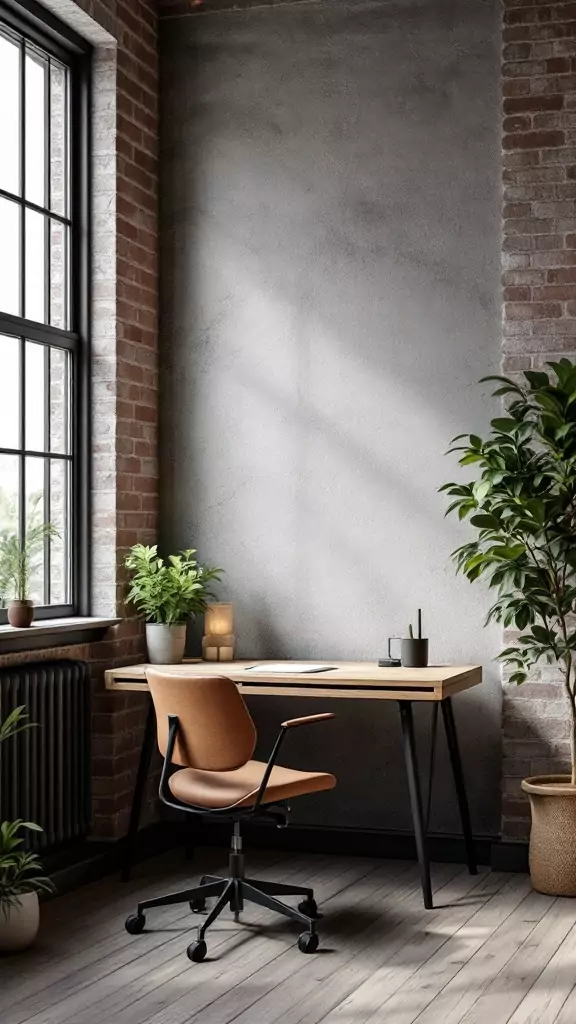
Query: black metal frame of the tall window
[44, 30]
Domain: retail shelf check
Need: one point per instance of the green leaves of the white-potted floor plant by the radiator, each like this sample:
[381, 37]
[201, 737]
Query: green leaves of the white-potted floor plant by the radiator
[21, 872]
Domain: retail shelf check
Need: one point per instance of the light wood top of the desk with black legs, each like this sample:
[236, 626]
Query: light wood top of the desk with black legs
[362, 680]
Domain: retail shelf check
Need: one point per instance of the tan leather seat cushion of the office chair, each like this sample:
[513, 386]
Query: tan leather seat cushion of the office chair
[240, 787]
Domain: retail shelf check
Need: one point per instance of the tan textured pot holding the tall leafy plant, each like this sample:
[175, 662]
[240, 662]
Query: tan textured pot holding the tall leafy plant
[553, 840]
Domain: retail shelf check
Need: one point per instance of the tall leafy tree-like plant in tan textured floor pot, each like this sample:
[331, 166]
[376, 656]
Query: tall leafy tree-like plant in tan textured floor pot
[523, 508]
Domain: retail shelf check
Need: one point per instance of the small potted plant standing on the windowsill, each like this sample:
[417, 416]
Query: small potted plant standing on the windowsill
[19, 565]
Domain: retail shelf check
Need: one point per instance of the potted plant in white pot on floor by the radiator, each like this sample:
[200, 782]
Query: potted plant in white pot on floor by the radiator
[21, 872]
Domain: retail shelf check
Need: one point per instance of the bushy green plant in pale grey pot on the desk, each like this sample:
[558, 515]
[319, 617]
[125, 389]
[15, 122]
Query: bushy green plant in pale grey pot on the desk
[168, 592]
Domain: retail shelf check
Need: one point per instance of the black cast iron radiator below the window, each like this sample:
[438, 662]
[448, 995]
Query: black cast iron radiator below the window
[46, 773]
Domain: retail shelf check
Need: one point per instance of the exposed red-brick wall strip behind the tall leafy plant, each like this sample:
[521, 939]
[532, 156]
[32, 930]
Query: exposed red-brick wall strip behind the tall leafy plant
[540, 307]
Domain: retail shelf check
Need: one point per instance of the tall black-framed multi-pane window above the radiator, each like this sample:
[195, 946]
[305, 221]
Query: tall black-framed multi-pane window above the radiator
[44, 316]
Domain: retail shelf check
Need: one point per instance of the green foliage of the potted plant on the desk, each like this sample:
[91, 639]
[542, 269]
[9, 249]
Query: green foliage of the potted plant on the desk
[171, 590]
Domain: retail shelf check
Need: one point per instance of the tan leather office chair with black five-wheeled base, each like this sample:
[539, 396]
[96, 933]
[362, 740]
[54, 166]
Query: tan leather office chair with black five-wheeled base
[205, 729]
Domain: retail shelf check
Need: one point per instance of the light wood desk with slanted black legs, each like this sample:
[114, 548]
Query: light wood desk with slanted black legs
[350, 680]
